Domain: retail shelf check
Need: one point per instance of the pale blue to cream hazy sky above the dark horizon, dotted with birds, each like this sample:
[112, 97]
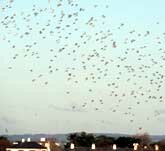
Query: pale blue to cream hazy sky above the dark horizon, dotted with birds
[88, 65]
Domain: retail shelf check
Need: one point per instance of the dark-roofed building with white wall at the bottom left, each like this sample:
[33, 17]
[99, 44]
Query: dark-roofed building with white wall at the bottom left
[27, 146]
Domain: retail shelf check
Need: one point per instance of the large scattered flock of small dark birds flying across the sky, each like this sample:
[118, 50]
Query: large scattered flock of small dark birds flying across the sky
[123, 64]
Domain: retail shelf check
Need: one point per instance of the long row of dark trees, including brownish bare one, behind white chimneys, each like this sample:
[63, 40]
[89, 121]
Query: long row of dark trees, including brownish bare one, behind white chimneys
[83, 139]
